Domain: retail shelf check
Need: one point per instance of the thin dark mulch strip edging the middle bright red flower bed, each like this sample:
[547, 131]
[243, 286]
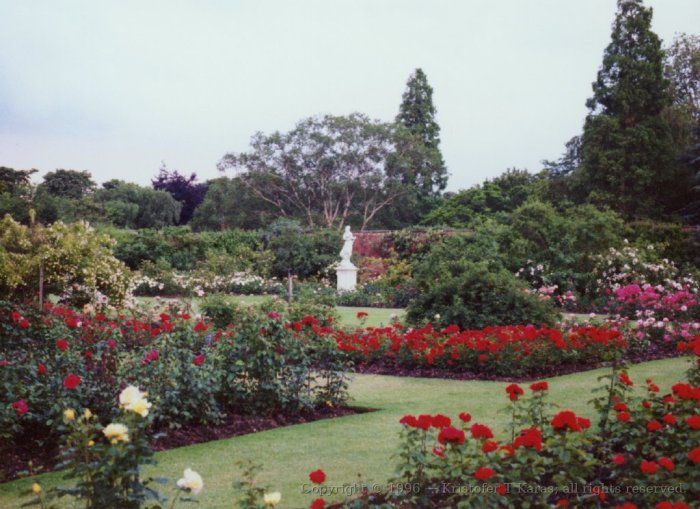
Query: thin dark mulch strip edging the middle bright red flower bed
[389, 368]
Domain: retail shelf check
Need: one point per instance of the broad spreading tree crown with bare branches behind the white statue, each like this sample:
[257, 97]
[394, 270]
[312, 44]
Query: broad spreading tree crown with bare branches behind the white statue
[328, 170]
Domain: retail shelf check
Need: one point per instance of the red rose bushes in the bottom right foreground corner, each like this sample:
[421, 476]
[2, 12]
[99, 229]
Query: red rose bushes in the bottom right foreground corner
[650, 458]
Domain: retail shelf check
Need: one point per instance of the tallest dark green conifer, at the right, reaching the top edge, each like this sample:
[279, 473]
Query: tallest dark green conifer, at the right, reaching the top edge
[627, 156]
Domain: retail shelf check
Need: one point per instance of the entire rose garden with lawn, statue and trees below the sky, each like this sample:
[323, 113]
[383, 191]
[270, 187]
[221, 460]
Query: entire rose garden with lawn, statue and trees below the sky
[328, 329]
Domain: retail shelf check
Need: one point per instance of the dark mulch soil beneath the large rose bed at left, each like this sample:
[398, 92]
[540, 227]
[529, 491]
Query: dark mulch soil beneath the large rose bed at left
[14, 458]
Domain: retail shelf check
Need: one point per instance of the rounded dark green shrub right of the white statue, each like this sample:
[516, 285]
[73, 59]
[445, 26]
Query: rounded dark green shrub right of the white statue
[455, 290]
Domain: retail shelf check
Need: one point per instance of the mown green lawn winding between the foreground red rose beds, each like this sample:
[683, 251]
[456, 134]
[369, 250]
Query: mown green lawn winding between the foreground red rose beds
[361, 443]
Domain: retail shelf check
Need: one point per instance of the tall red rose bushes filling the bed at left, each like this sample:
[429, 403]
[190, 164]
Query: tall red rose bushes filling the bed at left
[265, 363]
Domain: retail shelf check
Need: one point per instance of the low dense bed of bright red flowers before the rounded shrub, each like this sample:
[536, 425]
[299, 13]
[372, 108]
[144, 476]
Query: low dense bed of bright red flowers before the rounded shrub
[516, 350]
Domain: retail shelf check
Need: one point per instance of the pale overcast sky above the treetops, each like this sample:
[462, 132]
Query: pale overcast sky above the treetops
[116, 87]
